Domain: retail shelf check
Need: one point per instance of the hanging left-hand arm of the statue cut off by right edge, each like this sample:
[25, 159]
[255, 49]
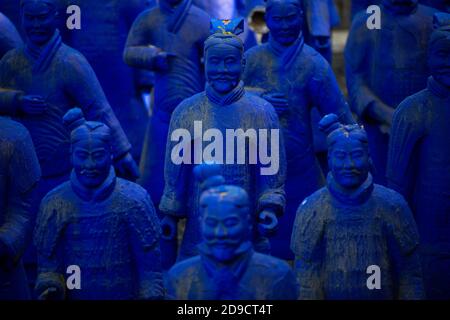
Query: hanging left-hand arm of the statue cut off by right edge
[402, 160]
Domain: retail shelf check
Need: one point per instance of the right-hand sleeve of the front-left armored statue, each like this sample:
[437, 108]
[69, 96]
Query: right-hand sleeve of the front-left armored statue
[144, 236]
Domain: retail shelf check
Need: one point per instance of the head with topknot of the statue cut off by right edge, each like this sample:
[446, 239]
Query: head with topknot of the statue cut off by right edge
[439, 49]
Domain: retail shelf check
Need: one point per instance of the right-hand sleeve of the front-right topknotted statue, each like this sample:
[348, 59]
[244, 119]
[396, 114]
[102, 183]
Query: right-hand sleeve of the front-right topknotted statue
[403, 242]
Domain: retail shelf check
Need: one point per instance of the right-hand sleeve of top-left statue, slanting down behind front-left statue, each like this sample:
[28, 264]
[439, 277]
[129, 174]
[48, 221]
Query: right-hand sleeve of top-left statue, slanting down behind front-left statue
[85, 90]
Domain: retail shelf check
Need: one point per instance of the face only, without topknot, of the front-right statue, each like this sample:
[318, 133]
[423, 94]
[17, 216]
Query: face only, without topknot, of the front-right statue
[349, 162]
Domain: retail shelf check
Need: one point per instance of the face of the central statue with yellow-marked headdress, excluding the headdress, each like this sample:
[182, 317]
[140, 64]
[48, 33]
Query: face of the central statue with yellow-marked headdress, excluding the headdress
[224, 66]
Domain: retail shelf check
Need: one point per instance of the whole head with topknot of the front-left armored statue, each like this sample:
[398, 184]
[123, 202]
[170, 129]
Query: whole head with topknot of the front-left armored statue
[91, 148]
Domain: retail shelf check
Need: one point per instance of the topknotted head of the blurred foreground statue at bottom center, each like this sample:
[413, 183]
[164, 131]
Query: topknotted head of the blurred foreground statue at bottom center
[225, 214]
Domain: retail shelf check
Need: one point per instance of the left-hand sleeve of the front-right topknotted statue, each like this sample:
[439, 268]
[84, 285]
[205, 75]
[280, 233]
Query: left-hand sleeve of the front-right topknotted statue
[306, 244]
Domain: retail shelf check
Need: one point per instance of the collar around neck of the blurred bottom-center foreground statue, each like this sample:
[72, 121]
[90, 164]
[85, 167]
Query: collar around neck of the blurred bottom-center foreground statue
[226, 274]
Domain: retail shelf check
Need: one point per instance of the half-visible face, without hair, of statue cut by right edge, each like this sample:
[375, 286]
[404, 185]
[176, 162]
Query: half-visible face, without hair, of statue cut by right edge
[439, 62]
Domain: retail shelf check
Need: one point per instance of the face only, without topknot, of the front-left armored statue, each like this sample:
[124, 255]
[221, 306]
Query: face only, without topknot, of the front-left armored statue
[91, 160]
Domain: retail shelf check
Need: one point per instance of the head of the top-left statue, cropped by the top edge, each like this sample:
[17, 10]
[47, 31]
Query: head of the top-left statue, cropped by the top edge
[39, 20]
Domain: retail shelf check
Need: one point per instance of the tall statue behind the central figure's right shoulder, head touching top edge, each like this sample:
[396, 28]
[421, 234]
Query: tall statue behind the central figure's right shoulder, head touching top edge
[294, 78]
